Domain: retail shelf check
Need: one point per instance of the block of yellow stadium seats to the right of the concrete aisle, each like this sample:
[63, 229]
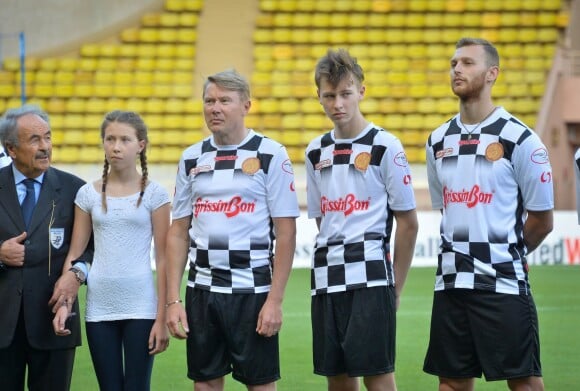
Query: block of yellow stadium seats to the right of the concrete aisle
[404, 46]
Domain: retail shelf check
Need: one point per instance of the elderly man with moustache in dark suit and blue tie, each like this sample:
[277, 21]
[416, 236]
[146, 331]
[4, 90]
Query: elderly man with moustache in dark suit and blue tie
[36, 221]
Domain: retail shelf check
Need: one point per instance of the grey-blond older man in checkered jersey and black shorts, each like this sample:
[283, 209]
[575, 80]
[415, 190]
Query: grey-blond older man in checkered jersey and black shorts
[234, 196]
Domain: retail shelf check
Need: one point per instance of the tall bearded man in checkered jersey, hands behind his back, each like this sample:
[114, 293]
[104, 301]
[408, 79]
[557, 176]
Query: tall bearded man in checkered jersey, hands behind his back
[490, 176]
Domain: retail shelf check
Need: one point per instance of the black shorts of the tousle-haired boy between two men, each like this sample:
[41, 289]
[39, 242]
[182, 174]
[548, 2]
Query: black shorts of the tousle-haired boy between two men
[353, 332]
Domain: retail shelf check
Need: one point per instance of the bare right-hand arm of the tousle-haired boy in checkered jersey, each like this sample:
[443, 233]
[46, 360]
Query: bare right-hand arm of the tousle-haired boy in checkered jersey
[405, 237]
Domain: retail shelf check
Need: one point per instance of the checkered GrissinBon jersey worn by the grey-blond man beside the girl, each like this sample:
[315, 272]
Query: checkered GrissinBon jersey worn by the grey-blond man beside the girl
[232, 194]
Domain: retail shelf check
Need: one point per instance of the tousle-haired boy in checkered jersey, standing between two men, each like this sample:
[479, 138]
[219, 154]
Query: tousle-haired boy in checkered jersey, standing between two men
[358, 179]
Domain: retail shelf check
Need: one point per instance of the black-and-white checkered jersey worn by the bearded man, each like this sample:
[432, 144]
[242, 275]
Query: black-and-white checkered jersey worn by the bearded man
[484, 185]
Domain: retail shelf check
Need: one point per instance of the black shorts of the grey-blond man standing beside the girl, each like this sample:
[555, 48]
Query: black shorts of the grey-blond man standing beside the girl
[222, 338]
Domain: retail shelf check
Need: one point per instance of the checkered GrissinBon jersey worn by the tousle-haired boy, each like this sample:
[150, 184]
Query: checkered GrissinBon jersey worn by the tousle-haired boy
[353, 185]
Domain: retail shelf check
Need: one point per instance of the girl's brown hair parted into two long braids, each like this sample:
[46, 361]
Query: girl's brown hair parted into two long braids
[136, 122]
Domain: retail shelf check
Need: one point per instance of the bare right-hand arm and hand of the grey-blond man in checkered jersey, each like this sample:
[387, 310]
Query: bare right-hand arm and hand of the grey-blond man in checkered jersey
[270, 317]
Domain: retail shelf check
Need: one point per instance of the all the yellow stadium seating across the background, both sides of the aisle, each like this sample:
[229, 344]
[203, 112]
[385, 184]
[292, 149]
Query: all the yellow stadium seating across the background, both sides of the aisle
[404, 46]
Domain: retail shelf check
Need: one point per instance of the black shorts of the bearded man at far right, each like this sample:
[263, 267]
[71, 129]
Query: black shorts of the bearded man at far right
[475, 332]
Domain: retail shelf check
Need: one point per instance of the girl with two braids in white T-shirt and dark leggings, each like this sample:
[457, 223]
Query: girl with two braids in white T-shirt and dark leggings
[124, 210]
